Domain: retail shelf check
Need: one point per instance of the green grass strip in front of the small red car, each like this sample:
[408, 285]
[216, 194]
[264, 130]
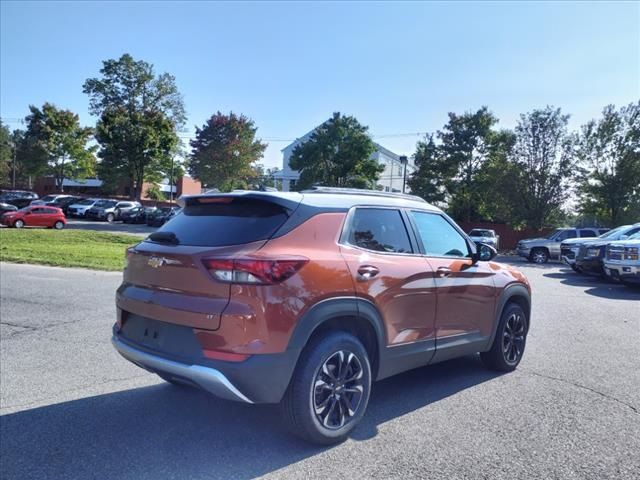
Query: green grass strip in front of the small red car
[66, 248]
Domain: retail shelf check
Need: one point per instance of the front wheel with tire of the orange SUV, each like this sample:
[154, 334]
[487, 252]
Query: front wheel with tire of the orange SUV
[505, 353]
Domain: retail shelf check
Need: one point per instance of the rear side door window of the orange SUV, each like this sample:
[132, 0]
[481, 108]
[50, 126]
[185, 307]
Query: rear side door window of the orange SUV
[379, 229]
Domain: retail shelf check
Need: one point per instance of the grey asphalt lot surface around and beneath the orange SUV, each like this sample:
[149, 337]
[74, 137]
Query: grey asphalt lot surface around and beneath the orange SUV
[71, 408]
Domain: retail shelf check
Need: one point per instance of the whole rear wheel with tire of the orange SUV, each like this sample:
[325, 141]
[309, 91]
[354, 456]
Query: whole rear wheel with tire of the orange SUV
[314, 409]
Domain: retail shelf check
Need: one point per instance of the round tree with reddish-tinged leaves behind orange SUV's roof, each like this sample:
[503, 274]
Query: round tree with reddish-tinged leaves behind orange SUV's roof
[224, 151]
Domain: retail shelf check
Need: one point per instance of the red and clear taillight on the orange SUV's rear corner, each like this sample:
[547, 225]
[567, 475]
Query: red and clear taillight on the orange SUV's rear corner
[254, 270]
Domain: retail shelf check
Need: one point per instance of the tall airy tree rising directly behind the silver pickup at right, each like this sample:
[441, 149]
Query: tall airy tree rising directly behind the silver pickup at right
[544, 153]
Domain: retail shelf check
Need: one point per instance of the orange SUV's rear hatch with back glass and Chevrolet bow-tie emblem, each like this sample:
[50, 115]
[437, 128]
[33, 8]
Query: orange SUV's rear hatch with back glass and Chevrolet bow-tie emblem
[166, 279]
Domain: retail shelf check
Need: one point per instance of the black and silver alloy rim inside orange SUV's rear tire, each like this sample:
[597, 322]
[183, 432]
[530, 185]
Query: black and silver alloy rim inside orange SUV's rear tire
[338, 389]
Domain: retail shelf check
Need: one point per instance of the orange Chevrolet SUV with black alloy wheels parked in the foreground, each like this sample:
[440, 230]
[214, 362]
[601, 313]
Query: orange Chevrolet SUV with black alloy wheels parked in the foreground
[305, 299]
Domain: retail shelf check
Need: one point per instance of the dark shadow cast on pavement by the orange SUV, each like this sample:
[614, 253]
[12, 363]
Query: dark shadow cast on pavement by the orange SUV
[163, 431]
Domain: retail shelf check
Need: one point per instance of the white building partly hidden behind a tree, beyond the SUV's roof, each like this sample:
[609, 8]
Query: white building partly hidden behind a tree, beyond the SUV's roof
[390, 180]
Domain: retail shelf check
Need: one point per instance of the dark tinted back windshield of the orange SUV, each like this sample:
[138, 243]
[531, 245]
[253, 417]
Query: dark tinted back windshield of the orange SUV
[234, 222]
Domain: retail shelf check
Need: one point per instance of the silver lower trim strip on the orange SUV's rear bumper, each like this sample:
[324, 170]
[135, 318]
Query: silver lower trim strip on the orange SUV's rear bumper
[207, 378]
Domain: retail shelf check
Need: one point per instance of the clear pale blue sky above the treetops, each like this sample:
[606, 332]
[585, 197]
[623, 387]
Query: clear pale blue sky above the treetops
[398, 67]
